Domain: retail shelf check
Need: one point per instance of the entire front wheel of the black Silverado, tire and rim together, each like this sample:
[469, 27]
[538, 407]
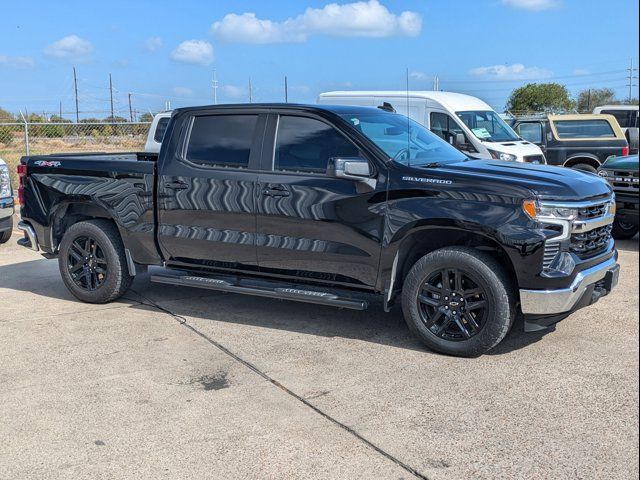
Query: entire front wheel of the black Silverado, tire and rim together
[479, 271]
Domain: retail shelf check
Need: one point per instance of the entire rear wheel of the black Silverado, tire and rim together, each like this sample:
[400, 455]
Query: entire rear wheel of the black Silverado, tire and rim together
[98, 279]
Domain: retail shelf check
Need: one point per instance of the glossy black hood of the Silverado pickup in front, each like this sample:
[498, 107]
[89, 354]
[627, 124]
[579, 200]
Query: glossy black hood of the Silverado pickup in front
[547, 182]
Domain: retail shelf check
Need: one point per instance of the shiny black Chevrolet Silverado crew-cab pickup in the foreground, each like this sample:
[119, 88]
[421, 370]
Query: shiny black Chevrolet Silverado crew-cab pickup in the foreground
[329, 205]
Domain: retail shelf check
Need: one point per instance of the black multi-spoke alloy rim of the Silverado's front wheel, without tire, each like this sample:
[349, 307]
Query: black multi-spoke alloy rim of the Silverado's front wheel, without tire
[452, 305]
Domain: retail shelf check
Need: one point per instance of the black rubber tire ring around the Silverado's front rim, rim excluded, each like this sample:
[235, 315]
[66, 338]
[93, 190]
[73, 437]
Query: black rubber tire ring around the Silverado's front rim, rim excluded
[500, 311]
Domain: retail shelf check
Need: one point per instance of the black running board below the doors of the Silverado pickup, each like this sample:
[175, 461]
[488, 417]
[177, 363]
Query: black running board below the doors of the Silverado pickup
[261, 289]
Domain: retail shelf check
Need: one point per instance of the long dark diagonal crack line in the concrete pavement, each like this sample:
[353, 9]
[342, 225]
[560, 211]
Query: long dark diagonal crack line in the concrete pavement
[183, 322]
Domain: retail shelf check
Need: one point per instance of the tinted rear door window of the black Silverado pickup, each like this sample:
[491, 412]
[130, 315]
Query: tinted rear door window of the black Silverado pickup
[223, 140]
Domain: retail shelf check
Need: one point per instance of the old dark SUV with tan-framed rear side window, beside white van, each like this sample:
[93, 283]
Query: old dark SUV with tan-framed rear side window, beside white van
[582, 142]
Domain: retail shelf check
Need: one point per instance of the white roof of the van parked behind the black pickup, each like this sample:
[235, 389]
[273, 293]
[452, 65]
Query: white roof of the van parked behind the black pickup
[456, 102]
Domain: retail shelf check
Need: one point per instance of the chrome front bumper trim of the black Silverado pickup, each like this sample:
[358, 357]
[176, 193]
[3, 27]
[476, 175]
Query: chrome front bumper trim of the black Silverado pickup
[549, 302]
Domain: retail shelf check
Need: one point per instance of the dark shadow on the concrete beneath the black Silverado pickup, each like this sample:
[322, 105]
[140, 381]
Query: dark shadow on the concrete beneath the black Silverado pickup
[41, 278]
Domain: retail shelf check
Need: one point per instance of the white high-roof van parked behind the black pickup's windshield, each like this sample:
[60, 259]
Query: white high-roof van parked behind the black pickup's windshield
[464, 121]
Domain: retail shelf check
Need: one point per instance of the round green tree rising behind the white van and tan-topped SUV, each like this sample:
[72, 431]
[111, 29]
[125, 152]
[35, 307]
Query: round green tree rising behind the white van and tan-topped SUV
[539, 98]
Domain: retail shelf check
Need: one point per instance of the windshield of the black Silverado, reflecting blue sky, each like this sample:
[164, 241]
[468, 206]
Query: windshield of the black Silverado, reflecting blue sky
[405, 141]
